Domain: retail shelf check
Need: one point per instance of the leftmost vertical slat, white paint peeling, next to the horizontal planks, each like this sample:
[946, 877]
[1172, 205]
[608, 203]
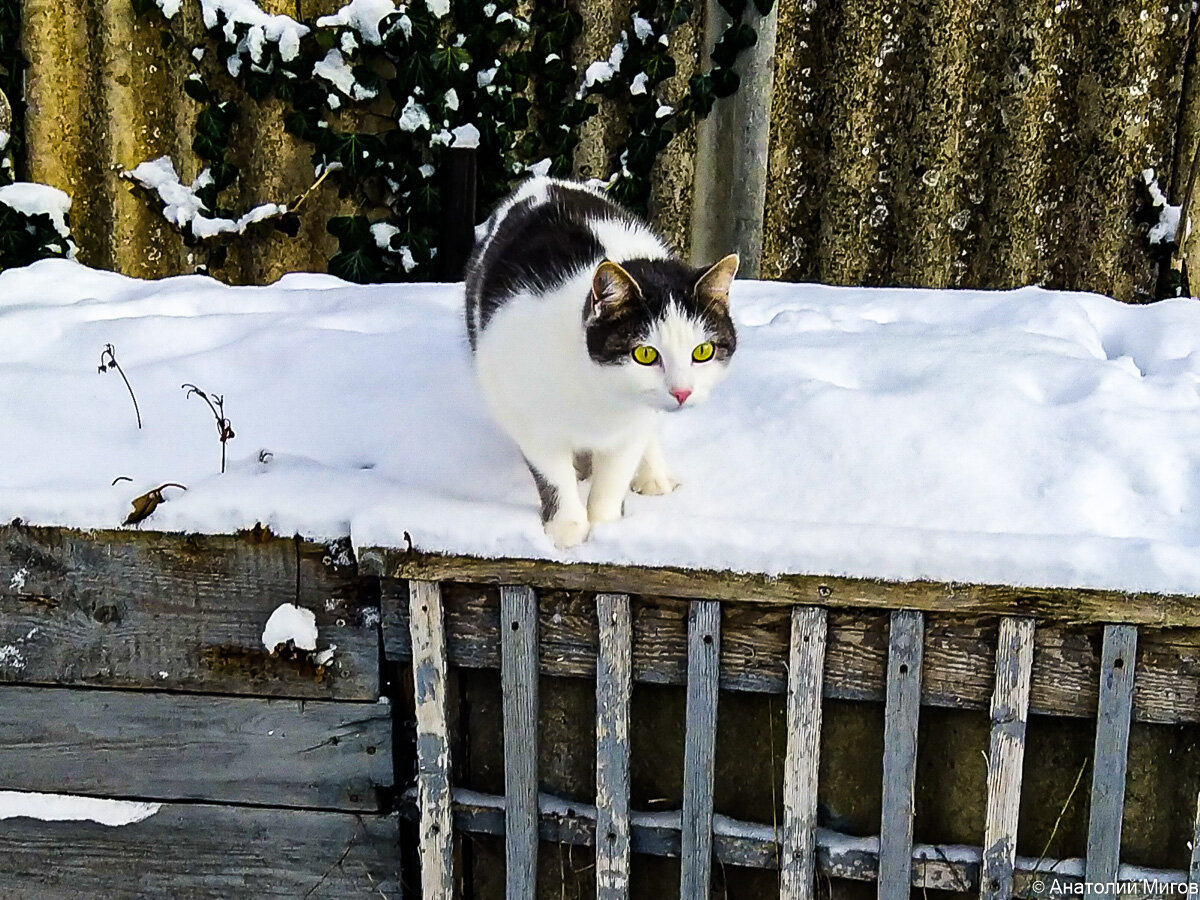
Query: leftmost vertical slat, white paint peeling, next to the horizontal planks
[428, 632]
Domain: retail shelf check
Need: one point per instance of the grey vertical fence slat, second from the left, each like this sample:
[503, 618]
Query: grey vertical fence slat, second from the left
[519, 677]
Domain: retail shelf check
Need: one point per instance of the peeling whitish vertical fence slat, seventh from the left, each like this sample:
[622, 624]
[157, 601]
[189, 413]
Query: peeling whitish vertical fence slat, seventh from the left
[1006, 755]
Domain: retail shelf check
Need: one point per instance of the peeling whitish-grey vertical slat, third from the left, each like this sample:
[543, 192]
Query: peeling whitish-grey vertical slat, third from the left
[615, 686]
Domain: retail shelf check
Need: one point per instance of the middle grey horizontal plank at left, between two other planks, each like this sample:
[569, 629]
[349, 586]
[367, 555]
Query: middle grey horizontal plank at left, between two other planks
[283, 753]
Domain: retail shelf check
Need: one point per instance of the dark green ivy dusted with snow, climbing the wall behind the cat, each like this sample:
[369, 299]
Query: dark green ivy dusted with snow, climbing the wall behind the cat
[383, 92]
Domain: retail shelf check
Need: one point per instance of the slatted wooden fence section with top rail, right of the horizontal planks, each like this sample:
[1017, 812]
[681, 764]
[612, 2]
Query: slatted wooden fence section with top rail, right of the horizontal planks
[1028, 664]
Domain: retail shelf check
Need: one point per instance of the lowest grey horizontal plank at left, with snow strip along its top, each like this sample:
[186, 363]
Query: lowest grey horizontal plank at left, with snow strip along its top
[215, 853]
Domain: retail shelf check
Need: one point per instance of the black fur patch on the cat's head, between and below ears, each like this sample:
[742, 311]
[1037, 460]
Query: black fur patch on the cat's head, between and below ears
[614, 334]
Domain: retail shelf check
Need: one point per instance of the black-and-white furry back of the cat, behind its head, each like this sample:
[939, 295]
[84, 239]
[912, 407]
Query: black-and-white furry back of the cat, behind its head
[543, 236]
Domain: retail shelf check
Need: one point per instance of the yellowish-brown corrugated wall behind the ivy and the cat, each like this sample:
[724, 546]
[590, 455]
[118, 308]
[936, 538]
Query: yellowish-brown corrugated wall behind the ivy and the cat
[927, 142]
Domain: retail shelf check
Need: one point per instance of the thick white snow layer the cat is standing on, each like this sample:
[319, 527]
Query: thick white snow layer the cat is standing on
[1027, 437]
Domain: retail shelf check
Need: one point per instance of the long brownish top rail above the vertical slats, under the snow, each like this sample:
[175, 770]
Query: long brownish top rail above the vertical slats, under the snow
[1075, 605]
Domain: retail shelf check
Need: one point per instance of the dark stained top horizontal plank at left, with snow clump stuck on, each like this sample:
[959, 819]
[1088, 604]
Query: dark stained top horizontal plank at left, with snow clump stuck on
[89, 609]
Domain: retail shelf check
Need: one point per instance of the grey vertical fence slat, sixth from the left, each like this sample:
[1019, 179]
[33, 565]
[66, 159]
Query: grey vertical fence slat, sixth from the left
[902, 712]
